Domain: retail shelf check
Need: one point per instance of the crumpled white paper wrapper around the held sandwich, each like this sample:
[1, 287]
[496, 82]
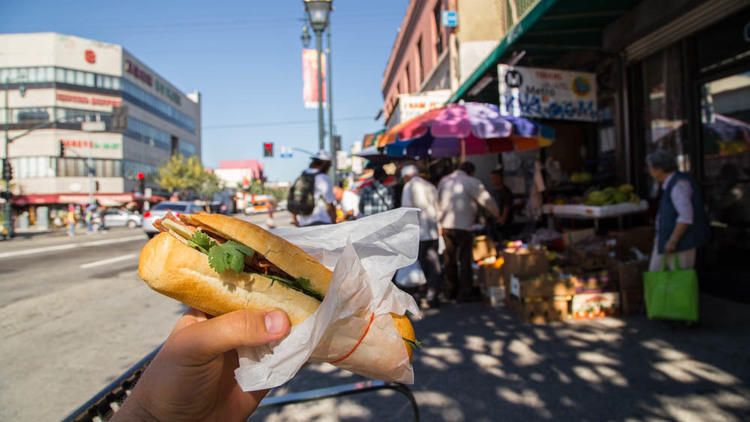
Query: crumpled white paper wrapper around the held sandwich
[364, 254]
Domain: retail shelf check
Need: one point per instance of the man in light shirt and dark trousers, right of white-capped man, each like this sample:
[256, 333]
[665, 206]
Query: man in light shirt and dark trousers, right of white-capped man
[459, 195]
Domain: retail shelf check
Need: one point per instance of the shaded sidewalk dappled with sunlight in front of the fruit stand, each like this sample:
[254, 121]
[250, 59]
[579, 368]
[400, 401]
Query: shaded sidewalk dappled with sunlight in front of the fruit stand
[480, 364]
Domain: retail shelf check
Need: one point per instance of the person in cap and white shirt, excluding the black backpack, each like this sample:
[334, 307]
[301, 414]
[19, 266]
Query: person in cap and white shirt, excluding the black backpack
[324, 211]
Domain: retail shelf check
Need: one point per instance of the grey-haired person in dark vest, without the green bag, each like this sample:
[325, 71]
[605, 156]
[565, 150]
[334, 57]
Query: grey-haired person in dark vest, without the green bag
[681, 223]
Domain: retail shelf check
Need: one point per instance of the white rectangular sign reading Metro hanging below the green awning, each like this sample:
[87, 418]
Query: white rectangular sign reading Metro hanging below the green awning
[547, 93]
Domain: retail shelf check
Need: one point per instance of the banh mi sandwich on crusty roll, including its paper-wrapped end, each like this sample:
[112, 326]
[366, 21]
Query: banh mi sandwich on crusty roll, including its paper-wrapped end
[219, 264]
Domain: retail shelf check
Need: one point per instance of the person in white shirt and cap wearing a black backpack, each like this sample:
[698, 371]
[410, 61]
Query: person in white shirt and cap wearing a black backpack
[311, 200]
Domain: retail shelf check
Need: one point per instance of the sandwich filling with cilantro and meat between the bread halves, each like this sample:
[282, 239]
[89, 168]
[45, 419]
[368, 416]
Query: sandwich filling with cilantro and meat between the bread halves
[224, 254]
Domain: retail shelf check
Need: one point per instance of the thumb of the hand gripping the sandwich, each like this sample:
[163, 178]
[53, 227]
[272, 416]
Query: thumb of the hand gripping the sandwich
[201, 342]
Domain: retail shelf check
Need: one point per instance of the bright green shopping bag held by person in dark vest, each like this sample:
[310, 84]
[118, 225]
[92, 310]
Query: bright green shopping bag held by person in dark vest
[671, 294]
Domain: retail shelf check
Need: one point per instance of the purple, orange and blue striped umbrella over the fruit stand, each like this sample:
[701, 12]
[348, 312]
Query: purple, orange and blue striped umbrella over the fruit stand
[464, 129]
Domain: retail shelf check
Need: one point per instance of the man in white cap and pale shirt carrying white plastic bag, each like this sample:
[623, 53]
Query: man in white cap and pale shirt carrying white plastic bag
[419, 193]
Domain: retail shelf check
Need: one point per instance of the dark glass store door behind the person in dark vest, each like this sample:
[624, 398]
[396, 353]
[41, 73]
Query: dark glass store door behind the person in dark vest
[725, 137]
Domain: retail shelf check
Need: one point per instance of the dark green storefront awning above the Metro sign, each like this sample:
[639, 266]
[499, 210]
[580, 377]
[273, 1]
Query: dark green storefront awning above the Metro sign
[547, 31]
